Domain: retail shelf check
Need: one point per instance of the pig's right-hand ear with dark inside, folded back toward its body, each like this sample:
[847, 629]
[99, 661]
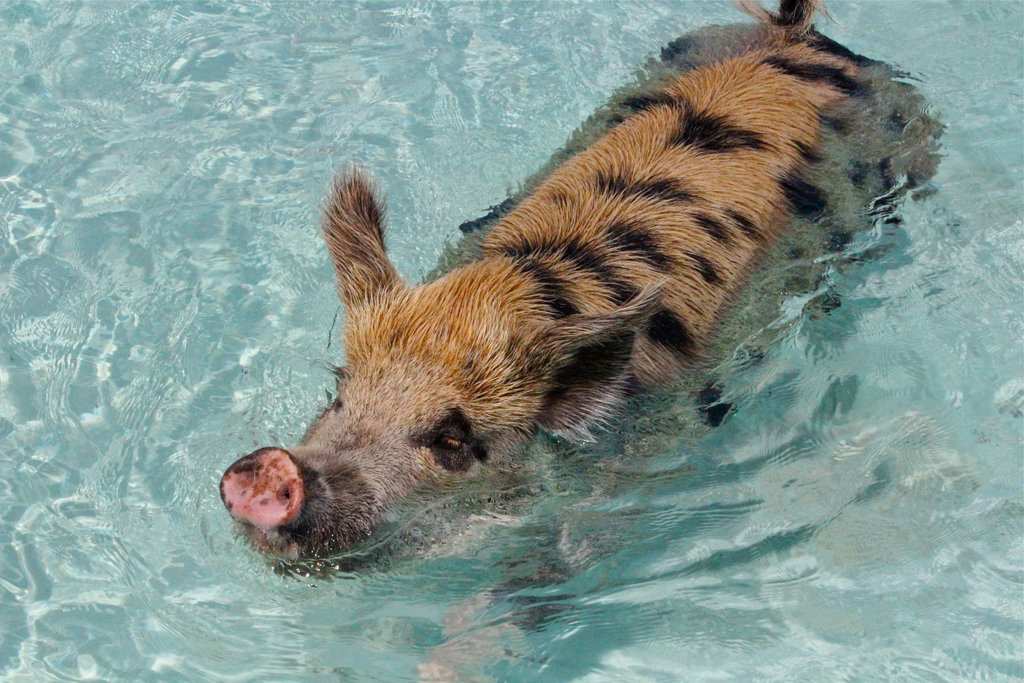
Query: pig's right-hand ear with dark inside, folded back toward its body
[590, 357]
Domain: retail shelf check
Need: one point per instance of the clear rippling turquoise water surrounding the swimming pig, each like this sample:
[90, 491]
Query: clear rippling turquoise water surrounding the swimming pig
[166, 307]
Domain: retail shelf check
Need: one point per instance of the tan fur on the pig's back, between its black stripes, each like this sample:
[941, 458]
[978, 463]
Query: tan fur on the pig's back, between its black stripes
[783, 109]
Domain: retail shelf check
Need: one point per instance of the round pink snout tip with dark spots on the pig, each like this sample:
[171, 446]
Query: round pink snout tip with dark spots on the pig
[264, 489]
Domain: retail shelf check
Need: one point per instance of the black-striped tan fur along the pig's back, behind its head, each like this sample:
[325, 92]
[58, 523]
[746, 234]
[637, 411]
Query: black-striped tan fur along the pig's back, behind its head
[731, 141]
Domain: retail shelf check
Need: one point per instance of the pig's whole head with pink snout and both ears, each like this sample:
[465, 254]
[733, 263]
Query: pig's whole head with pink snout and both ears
[441, 380]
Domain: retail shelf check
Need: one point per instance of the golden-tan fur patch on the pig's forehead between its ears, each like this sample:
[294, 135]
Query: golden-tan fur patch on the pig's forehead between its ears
[462, 334]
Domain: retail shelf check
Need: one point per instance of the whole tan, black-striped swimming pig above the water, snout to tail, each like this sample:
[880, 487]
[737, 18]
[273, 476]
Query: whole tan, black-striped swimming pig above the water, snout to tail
[611, 277]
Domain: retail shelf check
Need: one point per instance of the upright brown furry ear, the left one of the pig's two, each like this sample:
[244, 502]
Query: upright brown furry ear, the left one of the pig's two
[354, 230]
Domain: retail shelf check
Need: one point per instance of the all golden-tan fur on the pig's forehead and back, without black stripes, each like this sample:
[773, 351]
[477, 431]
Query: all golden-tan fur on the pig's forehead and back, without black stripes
[478, 334]
